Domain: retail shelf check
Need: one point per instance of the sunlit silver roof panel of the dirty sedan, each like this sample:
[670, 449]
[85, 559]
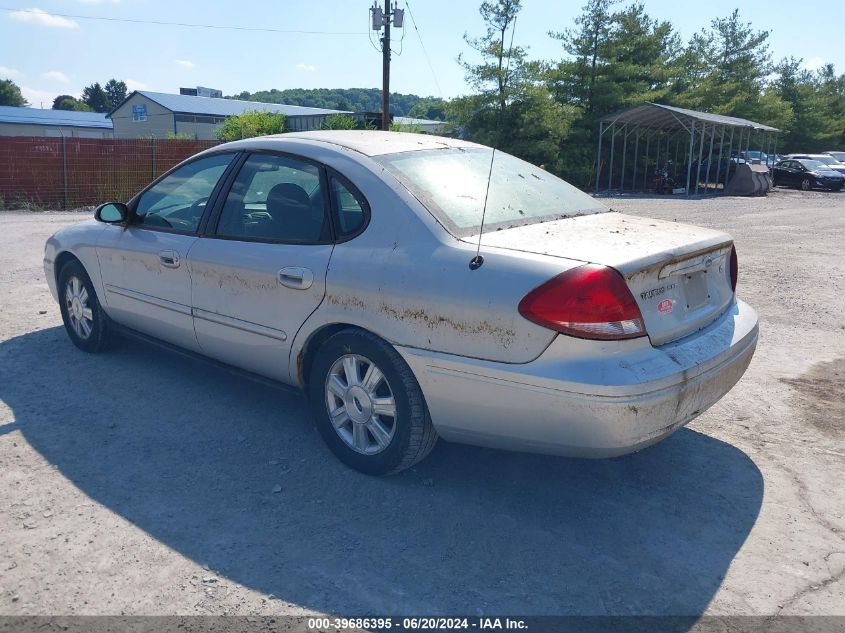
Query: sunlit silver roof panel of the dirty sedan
[367, 142]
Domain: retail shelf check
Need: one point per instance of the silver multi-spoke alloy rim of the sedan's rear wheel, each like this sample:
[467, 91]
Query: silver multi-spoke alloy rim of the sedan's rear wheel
[360, 404]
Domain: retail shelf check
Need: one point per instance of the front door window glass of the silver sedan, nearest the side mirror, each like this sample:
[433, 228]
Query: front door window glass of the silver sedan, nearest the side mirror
[178, 201]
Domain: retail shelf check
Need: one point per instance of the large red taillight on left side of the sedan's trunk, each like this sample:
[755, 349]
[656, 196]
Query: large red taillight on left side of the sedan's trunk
[588, 301]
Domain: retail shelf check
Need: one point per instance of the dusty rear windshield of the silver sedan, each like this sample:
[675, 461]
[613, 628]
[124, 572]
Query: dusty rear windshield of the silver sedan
[452, 184]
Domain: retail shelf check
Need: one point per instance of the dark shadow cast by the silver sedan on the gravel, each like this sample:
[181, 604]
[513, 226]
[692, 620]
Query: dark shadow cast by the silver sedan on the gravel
[191, 455]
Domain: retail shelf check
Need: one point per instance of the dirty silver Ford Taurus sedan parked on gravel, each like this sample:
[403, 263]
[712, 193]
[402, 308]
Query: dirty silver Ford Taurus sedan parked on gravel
[417, 287]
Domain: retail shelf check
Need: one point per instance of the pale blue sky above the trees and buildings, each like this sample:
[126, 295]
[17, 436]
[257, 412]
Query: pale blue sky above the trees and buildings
[47, 54]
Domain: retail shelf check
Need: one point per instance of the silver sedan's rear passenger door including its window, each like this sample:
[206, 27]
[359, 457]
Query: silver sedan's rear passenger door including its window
[262, 269]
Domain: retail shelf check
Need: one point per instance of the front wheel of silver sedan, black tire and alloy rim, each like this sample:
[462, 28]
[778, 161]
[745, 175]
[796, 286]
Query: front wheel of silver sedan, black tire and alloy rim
[85, 321]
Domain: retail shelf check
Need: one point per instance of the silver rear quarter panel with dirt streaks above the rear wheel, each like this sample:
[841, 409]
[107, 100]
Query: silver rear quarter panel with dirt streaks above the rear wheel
[407, 280]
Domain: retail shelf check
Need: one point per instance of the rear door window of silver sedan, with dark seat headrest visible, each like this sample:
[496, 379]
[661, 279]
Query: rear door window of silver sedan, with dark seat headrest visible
[278, 199]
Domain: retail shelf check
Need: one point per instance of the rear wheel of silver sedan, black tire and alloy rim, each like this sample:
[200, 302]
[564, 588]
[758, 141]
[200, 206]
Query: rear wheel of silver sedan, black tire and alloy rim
[367, 404]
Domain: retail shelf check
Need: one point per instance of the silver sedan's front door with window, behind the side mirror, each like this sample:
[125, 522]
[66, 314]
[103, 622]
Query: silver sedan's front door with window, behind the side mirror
[143, 265]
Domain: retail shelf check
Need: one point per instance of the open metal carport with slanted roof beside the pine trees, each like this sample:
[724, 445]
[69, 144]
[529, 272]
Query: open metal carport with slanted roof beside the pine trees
[667, 132]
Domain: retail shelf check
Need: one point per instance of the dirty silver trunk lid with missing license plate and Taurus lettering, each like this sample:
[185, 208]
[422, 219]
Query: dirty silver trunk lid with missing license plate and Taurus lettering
[679, 274]
